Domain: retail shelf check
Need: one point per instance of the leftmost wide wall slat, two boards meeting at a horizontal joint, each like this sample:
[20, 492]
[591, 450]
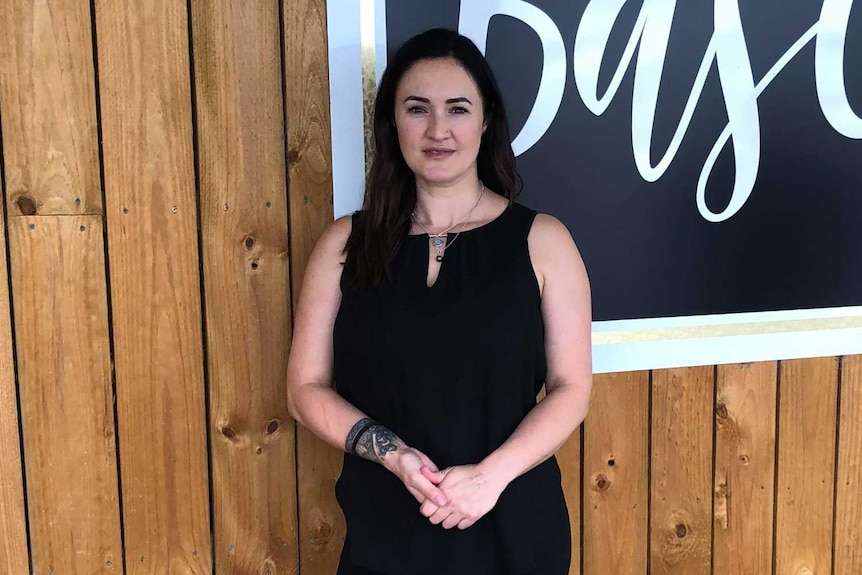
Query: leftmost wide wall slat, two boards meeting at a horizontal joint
[47, 88]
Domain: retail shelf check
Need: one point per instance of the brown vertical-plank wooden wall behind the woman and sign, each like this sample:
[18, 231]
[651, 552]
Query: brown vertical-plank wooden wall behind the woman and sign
[166, 171]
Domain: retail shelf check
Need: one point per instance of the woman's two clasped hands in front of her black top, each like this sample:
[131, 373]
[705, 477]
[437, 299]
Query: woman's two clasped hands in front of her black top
[457, 496]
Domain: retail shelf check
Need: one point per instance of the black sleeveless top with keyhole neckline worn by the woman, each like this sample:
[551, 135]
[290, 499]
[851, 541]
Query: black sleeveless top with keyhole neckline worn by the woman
[452, 369]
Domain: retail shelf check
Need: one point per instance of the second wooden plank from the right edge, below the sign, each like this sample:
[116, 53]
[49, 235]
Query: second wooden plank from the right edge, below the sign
[806, 465]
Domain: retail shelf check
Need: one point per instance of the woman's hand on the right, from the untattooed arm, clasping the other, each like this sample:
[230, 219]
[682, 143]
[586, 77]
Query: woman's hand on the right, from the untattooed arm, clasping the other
[471, 493]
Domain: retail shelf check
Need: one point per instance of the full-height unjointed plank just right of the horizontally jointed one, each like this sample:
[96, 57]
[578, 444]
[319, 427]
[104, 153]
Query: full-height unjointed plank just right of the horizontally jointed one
[151, 211]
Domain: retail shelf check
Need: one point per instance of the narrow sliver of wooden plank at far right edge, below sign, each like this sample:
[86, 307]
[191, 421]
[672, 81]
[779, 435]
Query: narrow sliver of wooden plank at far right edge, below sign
[848, 505]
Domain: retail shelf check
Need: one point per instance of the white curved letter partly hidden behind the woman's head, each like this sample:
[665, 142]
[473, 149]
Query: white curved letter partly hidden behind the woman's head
[473, 22]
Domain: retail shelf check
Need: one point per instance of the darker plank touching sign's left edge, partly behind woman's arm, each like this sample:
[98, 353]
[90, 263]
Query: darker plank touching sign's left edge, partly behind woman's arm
[321, 524]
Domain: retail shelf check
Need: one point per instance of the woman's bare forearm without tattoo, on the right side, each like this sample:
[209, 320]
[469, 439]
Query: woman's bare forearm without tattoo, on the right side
[542, 432]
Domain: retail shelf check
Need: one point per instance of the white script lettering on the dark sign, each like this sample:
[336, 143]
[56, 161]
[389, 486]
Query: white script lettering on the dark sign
[727, 49]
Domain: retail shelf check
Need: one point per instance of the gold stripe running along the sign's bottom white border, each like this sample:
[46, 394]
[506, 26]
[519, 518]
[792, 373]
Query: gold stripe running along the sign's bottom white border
[723, 330]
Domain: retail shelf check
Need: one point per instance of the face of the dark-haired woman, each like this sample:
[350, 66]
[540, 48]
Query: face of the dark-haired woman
[439, 118]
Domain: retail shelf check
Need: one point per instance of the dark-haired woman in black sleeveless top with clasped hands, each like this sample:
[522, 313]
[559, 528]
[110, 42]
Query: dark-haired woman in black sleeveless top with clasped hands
[429, 321]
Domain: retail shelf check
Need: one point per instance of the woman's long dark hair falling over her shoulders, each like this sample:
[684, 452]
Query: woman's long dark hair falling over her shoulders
[390, 191]
